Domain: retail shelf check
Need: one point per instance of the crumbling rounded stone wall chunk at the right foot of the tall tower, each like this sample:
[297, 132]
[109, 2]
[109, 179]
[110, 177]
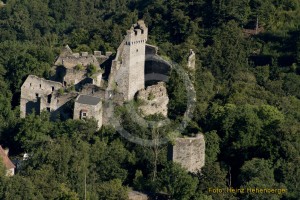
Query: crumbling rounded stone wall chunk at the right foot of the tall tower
[155, 100]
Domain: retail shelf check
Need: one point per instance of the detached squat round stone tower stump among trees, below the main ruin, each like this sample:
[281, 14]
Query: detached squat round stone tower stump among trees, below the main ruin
[189, 152]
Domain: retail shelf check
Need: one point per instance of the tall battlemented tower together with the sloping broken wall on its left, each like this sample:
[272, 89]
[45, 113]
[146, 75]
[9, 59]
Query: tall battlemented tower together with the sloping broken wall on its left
[129, 63]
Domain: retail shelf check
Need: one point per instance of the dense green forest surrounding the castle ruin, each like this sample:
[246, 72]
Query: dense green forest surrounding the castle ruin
[247, 87]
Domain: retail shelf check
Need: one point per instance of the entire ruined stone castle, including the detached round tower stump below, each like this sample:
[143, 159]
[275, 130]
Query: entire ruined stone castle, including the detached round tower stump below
[81, 87]
